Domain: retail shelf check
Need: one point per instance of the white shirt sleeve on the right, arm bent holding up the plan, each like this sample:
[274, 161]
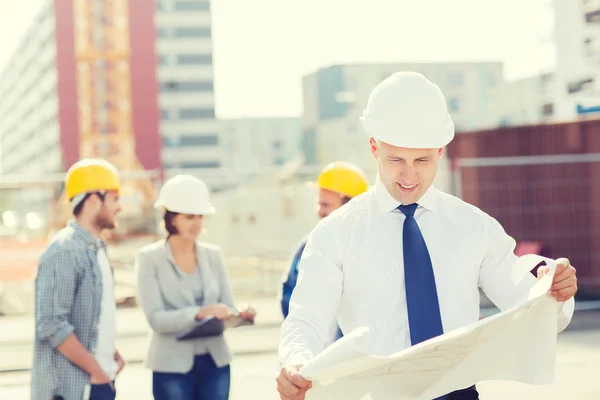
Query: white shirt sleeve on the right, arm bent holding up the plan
[495, 278]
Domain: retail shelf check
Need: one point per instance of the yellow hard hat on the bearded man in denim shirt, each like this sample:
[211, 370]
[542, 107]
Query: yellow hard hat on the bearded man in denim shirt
[91, 175]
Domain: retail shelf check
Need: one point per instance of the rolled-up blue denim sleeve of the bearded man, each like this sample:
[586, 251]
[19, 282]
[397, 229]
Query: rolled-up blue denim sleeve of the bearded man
[55, 288]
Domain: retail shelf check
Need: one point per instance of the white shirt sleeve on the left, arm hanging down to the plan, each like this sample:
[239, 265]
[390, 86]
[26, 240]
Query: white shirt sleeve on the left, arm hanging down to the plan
[315, 299]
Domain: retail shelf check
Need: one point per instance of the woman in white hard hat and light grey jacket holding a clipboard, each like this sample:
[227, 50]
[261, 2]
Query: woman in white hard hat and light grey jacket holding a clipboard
[182, 281]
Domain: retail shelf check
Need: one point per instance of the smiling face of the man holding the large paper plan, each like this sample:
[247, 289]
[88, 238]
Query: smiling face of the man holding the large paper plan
[405, 173]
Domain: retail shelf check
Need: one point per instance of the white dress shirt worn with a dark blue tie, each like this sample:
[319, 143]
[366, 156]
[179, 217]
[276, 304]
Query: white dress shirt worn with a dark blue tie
[352, 269]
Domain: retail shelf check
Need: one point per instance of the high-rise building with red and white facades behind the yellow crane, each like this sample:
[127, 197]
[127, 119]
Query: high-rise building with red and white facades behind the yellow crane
[169, 79]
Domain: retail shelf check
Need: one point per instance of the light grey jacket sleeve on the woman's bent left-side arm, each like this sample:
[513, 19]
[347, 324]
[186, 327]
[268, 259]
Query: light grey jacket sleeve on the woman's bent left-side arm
[159, 318]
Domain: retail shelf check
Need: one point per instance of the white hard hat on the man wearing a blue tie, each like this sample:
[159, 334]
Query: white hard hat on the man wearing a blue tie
[407, 110]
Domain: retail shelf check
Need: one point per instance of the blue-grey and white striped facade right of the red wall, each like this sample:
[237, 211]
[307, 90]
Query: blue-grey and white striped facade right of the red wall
[189, 130]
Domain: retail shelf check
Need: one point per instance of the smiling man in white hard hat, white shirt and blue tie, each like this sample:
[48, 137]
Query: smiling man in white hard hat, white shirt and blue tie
[404, 259]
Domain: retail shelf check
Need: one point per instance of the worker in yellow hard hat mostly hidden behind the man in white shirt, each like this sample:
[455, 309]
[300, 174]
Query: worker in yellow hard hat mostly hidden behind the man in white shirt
[338, 183]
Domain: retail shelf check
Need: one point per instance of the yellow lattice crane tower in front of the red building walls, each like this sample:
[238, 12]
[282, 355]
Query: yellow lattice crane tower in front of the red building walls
[104, 96]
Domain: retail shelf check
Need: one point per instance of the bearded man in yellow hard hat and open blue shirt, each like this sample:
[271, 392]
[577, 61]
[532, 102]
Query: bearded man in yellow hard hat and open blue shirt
[75, 312]
